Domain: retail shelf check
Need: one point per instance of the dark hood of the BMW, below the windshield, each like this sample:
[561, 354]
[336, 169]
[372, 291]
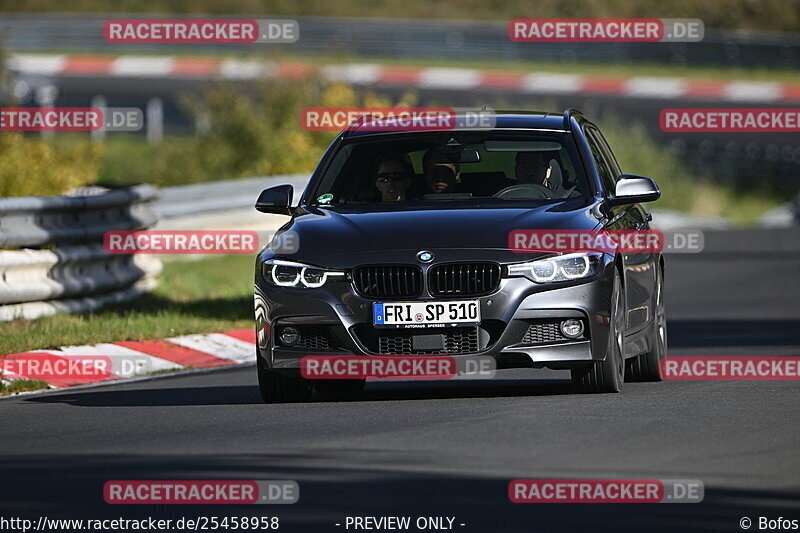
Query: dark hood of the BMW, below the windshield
[328, 232]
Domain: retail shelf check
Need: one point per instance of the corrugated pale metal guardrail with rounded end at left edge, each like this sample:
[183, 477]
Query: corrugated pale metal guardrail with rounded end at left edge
[70, 271]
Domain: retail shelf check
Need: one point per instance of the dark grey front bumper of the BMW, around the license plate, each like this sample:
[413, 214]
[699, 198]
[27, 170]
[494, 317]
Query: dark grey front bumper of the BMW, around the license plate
[506, 316]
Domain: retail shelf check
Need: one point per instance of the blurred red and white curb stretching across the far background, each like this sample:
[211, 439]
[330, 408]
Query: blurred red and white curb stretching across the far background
[405, 76]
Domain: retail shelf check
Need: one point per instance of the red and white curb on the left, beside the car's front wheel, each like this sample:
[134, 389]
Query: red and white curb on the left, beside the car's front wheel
[132, 359]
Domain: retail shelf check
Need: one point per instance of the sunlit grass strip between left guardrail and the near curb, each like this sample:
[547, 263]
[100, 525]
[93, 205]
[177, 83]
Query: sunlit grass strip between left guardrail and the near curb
[214, 294]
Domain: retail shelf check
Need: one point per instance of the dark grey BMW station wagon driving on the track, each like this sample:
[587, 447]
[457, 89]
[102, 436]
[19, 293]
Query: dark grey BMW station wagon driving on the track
[403, 250]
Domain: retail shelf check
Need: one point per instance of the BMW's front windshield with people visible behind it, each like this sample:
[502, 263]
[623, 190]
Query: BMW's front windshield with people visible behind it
[458, 167]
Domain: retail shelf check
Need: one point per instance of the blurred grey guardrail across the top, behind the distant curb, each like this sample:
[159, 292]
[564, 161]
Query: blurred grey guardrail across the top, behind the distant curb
[416, 38]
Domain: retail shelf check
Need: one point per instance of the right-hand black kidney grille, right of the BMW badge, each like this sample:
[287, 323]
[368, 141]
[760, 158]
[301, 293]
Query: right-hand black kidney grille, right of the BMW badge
[463, 279]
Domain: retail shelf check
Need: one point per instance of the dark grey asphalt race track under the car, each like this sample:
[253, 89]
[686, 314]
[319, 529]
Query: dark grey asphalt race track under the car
[450, 449]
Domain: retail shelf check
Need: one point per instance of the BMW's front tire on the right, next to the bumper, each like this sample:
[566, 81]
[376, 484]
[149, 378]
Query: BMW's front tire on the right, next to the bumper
[609, 374]
